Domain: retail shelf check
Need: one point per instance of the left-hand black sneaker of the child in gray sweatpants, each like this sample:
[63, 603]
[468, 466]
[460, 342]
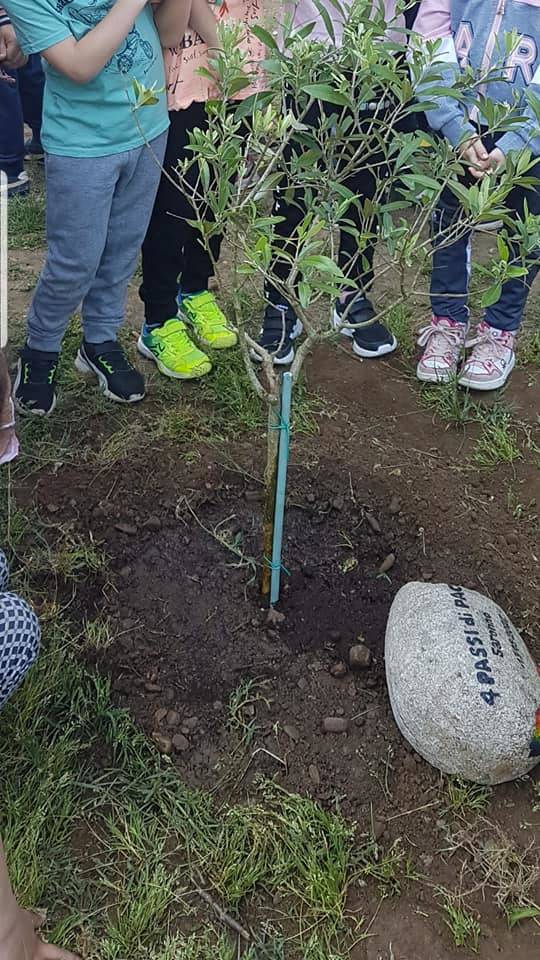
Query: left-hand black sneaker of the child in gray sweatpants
[34, 390]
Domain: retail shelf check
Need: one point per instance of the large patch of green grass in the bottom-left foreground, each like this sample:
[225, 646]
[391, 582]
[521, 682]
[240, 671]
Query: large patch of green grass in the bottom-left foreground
[114, 850]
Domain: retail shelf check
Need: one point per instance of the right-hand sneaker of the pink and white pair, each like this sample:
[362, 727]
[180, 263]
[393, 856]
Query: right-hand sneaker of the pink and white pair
[491, 360]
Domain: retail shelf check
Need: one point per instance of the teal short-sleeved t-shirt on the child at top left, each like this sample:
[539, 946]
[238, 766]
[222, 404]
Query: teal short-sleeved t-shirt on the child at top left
[98, 118]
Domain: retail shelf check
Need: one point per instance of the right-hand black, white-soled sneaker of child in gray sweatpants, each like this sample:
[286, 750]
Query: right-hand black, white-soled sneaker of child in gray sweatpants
[118, 379]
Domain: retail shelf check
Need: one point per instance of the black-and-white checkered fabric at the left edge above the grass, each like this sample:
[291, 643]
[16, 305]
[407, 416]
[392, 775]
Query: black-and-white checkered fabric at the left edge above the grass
[19, 637]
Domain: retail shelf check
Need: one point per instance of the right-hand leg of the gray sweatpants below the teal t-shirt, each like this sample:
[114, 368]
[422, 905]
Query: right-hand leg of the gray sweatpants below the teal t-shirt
[130, 209]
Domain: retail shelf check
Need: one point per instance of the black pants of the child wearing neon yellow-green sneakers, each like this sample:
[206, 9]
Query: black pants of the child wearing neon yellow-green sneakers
[173, 251]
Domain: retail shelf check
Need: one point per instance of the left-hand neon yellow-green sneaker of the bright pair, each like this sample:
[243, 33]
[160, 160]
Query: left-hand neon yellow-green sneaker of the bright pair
[171, 349]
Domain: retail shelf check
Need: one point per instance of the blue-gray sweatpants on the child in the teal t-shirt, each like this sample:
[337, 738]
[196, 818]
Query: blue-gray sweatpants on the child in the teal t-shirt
[98, 209]
